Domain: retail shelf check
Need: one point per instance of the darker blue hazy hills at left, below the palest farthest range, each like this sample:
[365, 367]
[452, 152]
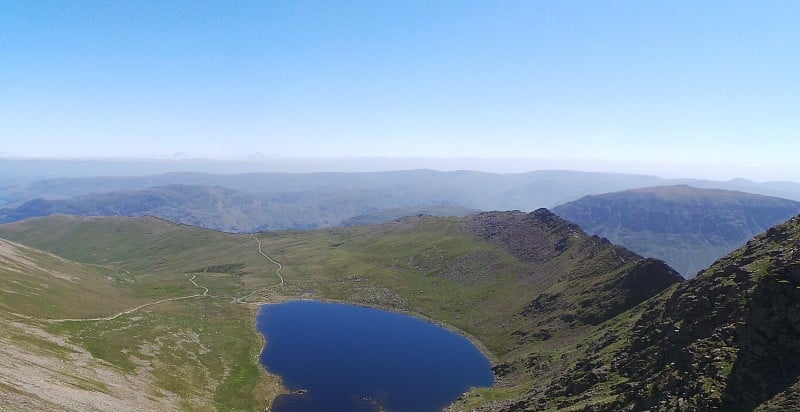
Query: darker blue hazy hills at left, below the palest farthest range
[216, 207]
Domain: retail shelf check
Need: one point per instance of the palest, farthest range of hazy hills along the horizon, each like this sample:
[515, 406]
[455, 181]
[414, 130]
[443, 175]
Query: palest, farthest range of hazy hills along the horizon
[477, 190]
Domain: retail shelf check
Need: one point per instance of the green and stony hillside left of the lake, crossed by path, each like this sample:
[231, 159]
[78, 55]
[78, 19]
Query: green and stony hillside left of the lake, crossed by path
[187, 351]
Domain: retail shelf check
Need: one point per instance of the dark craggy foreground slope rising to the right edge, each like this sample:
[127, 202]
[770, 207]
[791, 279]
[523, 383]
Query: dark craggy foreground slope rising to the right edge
[726, 340]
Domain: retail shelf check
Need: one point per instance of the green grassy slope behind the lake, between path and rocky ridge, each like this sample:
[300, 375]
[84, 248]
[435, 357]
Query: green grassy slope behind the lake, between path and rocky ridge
[428, 266]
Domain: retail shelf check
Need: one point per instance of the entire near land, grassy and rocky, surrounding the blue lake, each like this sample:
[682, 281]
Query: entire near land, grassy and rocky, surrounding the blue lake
[563, 315]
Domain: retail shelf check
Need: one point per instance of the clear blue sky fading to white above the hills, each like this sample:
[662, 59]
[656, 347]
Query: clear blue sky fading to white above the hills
[674, 88]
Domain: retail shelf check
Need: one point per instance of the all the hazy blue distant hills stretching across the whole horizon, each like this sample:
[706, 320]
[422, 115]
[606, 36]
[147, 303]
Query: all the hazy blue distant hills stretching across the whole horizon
[262, 201]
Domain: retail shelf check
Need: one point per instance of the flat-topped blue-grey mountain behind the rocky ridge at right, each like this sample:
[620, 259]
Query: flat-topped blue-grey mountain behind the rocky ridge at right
[687, 227]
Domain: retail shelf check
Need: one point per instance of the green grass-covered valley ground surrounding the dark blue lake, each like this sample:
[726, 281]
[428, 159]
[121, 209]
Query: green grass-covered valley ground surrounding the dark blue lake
[429, 266]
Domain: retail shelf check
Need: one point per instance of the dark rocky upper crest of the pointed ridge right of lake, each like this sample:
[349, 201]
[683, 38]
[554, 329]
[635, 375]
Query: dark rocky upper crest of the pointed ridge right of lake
[581, 278]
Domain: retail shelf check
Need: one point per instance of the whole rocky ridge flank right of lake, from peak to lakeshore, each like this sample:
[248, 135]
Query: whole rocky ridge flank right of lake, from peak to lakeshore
[576, 283]
